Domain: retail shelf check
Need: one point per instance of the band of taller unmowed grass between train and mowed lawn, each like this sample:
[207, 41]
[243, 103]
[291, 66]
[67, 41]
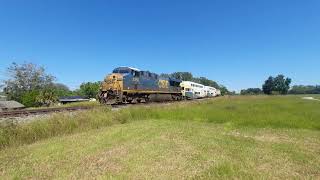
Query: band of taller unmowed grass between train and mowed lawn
[236, 112]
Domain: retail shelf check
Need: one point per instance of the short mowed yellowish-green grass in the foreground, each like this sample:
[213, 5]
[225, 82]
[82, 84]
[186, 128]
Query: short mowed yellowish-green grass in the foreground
[168, 149]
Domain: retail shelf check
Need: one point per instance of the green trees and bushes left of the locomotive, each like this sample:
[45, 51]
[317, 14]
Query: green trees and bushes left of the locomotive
[32, 86]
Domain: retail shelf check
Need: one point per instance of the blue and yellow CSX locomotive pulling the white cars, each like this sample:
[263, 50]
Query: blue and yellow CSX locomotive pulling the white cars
[126, 85]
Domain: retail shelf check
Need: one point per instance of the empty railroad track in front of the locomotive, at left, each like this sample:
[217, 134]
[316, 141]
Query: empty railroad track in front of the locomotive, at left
[19, 113]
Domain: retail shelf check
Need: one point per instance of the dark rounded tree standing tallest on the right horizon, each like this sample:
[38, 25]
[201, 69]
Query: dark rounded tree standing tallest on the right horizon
[277, 85]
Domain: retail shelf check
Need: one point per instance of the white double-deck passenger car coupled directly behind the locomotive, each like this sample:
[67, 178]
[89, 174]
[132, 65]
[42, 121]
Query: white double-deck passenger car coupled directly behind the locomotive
[192, 90]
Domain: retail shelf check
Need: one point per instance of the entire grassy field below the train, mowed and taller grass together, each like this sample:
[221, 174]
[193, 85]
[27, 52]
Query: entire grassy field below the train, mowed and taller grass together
[244, 137]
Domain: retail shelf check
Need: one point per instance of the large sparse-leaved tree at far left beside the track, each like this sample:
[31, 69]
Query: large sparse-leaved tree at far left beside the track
[25, 83]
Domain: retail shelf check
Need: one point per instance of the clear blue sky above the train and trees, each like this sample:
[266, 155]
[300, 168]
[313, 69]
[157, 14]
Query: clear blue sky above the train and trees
[237, 43]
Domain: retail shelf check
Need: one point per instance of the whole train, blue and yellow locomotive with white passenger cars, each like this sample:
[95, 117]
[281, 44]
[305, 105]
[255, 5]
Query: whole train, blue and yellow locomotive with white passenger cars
[131, 85]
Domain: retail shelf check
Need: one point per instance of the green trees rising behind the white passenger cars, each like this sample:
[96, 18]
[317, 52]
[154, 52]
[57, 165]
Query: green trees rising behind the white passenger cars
[188, 76]
